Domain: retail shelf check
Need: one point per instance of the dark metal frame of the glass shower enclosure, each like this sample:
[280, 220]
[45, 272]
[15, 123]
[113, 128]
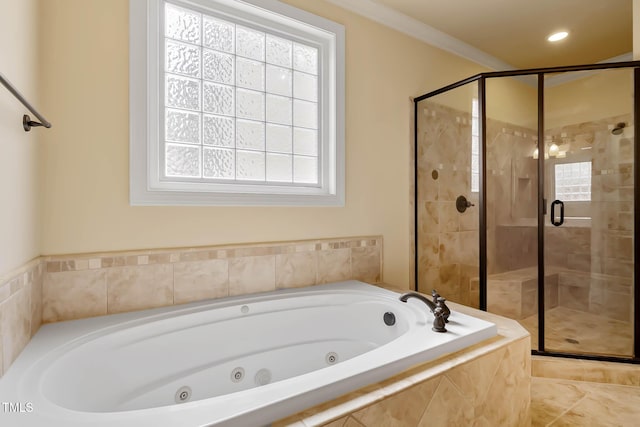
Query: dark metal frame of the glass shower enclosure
[540, 73]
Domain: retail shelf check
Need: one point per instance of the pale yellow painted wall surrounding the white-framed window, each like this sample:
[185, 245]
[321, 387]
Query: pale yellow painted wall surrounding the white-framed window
[85, 172]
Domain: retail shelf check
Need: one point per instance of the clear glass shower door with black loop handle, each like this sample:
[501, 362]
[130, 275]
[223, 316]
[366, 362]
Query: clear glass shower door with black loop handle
[589, 195]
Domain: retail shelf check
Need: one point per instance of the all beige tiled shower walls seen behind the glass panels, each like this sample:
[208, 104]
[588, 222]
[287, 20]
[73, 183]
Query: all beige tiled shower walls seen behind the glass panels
[448, 240]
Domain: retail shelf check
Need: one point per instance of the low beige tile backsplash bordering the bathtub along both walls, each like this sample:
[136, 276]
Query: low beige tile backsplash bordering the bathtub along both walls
[57, 288]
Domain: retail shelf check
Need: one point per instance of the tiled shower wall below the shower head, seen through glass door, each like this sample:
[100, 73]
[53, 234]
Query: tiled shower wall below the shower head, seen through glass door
[606, 250]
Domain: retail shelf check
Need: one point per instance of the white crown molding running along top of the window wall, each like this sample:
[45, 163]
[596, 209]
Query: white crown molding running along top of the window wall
[421, 31]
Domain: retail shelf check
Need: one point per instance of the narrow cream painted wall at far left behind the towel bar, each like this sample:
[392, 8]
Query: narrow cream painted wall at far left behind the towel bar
[18, 150]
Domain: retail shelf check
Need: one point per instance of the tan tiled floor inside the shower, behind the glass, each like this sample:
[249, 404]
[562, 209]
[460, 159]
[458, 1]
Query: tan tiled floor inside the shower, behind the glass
[573, 331]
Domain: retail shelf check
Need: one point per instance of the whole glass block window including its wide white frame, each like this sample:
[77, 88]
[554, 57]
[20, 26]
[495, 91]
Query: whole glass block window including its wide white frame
[235, 103]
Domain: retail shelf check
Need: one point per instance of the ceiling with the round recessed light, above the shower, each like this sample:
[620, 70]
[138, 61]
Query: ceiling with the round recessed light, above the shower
[514, 31]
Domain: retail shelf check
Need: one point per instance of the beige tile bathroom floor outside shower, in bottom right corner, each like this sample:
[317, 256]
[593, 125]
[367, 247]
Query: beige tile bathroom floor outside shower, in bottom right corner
[559, 402]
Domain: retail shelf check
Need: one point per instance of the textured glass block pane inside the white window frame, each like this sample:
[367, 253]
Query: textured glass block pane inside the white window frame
[240, 103]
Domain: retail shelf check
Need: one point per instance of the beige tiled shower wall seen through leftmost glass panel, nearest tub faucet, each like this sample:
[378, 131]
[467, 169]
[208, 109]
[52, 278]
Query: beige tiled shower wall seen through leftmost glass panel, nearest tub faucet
[448, 240]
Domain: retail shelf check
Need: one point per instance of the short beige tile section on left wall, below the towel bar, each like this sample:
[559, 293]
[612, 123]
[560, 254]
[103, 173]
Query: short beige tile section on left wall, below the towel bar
[20, 310]
